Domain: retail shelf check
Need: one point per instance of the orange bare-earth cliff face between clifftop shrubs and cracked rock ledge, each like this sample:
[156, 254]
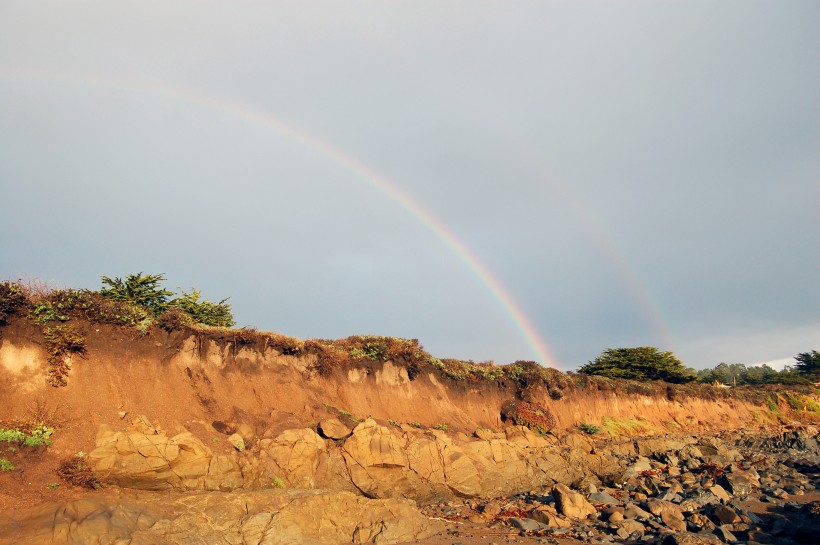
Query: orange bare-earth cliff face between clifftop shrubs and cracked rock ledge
[184, 377]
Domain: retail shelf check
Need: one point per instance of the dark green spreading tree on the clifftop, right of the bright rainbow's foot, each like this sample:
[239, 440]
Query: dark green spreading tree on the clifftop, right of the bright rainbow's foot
[641, 363]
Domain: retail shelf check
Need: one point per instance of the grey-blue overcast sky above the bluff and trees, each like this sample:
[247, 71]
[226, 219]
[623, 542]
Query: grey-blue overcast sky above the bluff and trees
[500, 180]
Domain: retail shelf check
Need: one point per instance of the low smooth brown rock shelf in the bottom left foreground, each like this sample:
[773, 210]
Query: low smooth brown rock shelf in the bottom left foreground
[247, 518]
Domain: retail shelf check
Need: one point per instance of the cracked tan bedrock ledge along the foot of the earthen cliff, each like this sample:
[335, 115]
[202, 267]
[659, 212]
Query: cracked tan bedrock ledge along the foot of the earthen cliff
[376, 460]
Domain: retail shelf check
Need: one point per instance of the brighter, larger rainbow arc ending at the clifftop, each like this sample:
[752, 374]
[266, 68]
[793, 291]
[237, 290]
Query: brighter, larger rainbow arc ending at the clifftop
[495, 287]
